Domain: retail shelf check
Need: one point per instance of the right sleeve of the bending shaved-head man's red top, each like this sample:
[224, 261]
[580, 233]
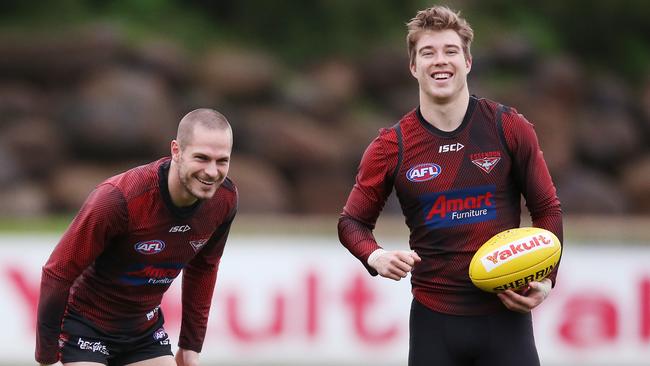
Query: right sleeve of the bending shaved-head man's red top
[199, 279]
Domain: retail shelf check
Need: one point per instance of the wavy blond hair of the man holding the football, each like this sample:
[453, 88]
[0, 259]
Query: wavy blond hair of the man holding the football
[438, 18]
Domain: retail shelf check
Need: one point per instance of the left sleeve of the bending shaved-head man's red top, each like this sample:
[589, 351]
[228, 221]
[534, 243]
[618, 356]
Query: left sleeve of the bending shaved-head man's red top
[102, 216]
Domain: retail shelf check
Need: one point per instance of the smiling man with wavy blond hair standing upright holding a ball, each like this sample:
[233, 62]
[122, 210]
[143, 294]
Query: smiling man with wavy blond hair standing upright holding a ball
[459, 165]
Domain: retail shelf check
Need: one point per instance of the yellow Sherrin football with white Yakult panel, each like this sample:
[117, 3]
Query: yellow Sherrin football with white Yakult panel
[513, 258]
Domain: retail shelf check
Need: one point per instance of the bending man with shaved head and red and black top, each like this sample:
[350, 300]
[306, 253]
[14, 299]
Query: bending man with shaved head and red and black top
[102, 286]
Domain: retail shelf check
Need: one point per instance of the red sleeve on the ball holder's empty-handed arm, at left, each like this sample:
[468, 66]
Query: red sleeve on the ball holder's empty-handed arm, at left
[372, 187]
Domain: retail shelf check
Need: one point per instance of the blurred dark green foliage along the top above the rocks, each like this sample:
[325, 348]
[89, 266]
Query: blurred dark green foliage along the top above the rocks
[604, 34]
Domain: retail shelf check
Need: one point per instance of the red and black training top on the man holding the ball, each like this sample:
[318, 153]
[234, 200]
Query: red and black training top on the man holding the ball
[456, 189]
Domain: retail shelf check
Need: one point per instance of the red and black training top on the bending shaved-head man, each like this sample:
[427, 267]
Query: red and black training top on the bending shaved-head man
[123, 250]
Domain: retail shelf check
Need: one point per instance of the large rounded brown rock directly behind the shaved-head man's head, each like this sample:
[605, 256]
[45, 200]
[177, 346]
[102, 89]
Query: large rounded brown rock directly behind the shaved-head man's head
[120, 114]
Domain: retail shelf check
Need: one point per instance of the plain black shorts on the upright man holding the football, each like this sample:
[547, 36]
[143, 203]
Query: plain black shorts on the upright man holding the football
[504, 338]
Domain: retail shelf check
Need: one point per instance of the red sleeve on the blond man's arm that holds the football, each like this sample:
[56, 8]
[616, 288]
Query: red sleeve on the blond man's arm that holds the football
[533, 177]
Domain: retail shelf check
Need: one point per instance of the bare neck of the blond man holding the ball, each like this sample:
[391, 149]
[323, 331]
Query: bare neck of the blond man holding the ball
[444, 115]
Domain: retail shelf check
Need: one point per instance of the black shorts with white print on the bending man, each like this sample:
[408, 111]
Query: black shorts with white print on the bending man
[81, 340]
